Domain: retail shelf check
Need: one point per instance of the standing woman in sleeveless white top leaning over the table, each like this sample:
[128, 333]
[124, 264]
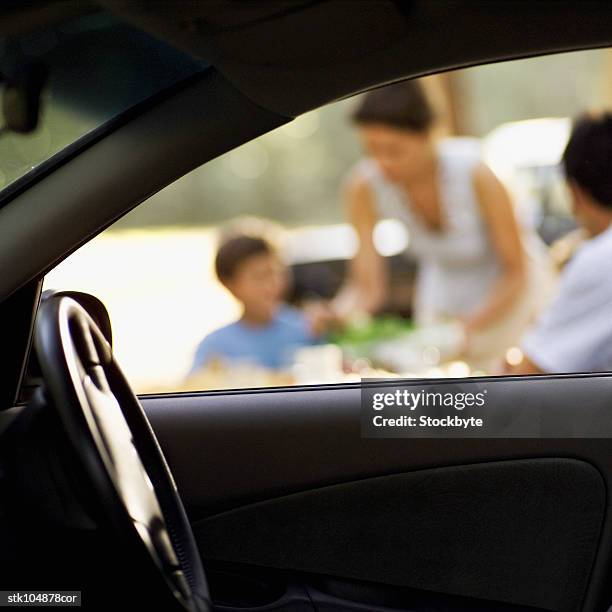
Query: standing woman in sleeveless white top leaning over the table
[472, 256]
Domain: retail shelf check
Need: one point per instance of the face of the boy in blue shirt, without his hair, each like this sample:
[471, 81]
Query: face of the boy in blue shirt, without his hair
[260, 283]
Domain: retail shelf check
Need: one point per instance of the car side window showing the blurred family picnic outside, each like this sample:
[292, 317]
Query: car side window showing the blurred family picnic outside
[450, 206]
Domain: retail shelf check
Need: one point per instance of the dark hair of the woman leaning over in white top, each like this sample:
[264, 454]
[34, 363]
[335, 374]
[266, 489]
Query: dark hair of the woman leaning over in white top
[402, 105]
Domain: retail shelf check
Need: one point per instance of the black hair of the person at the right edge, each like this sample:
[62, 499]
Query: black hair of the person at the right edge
[588, 156]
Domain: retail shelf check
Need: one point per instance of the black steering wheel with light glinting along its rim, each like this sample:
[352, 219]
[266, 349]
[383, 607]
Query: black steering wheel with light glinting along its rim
[116, 445]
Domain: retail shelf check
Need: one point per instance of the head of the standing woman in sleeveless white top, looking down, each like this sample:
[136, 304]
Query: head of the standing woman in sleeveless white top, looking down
[394, 124]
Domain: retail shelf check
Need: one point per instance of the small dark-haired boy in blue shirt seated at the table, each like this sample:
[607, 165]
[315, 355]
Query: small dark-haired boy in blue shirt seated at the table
[269, 331]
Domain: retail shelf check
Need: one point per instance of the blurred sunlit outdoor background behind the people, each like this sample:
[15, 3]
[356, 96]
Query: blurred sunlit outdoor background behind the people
[154, 267]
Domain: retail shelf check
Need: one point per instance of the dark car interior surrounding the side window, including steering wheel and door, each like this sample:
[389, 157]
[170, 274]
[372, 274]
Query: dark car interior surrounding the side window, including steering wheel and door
[263, 498]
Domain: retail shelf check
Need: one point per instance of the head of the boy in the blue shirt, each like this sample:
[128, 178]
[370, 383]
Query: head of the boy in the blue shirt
[250, 268]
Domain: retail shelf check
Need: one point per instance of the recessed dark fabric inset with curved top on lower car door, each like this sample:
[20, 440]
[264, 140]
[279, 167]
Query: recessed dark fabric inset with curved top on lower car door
[522, 531]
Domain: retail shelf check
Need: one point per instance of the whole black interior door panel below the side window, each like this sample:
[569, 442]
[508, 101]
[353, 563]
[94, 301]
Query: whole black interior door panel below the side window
[282, 481]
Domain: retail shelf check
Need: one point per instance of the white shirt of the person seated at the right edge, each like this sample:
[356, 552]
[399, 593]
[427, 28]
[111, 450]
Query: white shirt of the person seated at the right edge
[575, 333]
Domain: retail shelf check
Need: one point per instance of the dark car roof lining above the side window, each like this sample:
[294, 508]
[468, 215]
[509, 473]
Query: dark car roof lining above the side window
[307, 54]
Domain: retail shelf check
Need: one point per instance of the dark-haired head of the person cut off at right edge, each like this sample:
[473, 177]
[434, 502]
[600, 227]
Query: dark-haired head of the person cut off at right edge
[587, 161]
